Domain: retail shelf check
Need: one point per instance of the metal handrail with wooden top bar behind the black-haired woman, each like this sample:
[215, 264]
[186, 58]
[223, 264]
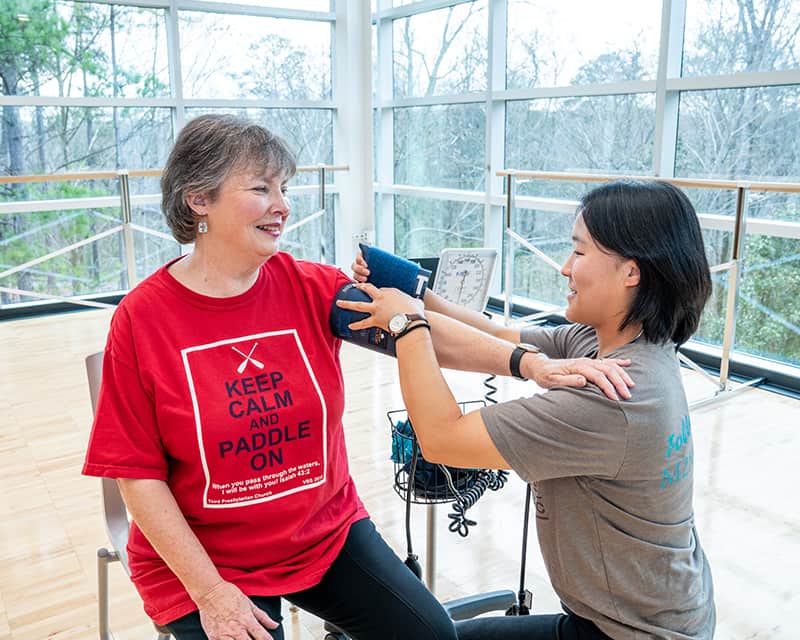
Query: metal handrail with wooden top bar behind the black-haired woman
[732, 266]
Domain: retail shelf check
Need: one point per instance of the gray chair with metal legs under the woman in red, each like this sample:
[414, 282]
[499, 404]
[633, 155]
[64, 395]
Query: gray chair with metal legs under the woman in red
[116, 516]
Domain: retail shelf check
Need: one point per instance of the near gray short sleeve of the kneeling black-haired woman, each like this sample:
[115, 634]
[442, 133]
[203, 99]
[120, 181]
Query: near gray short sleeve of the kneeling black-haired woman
[563, 432]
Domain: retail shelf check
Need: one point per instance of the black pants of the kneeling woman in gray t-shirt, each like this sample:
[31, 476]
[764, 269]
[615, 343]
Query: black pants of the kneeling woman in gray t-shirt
[558, 626]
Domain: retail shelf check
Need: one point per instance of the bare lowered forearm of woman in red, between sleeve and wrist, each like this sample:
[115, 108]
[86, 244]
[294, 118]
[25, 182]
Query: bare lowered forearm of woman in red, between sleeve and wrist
[157, 514]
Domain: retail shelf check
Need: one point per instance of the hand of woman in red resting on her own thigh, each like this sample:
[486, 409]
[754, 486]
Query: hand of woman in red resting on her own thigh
[226, 613]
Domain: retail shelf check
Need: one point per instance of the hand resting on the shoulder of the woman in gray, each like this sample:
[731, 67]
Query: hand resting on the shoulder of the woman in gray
[607, 373]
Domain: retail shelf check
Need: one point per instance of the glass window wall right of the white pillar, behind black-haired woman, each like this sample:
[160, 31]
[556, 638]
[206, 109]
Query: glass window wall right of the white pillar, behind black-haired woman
[713, 92]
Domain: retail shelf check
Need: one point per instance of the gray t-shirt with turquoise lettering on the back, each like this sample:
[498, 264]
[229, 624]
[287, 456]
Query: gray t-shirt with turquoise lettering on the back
[613, 485]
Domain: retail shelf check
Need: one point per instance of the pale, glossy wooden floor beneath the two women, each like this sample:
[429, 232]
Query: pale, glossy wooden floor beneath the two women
[748, 511]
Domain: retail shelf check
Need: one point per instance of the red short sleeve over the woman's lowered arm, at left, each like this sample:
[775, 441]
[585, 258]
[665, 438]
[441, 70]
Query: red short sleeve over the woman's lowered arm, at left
[124, 442]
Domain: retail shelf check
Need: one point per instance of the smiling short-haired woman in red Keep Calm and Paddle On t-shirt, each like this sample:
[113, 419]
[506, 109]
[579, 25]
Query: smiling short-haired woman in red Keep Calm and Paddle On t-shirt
[220, 415]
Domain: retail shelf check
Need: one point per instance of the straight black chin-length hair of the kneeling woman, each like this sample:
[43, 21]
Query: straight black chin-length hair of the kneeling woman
[655, 225]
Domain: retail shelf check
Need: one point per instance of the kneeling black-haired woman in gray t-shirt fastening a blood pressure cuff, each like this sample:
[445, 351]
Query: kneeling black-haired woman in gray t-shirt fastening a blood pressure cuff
[613, 479]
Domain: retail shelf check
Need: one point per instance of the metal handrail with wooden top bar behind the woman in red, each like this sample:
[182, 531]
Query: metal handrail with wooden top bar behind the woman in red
[127, 226]
